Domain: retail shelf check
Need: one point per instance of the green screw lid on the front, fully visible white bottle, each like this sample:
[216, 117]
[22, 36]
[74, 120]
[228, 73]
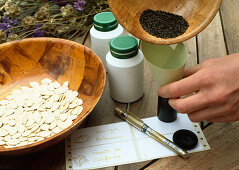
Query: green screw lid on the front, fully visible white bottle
[124, 47]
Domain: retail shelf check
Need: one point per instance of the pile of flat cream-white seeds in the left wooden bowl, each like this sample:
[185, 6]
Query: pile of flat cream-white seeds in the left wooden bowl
[31, 114]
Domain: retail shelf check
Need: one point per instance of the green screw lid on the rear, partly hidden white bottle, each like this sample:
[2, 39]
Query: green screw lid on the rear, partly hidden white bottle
[105, 21]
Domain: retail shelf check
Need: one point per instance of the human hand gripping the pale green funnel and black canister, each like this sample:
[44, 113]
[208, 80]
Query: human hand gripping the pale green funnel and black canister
[216, 83]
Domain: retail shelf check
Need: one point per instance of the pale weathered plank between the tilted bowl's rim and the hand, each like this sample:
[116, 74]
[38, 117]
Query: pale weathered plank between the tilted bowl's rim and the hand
[211, 41]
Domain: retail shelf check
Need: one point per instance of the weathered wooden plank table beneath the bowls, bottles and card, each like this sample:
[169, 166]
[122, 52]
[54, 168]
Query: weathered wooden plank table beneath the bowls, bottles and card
[220, 38]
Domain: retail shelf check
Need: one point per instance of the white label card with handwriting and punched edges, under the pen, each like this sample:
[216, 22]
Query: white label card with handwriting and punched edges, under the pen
[120, 143]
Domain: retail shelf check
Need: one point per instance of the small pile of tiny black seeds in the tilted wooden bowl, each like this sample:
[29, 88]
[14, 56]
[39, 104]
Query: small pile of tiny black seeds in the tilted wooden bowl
[163, 24]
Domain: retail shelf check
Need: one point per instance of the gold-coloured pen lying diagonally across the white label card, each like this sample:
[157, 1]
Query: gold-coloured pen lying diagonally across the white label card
[139, 124]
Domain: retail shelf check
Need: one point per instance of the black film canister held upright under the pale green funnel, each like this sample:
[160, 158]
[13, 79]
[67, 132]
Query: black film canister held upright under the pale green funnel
[165, 112]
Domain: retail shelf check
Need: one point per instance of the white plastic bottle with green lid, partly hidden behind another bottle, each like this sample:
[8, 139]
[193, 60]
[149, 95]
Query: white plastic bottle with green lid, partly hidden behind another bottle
[105, 29]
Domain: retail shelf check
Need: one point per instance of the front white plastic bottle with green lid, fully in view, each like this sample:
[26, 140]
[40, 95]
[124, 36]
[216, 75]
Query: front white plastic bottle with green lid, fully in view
[125, 69]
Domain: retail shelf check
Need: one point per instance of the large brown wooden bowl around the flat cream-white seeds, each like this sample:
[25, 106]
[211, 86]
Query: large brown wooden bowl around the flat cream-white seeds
[34, 59]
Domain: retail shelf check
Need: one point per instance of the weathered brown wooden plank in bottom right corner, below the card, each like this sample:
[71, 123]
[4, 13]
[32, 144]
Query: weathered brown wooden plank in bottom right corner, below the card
[223, 139]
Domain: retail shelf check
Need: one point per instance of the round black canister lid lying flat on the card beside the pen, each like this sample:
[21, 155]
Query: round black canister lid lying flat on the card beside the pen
[186, 139]
